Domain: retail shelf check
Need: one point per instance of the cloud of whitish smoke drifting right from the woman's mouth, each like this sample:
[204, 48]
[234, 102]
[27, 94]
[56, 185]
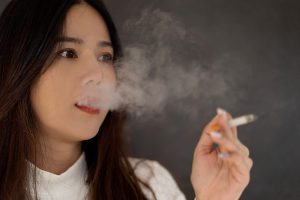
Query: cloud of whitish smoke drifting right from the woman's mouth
[159, 70]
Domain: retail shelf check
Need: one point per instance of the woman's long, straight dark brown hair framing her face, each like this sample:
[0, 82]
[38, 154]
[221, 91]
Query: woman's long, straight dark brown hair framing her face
[28, 29]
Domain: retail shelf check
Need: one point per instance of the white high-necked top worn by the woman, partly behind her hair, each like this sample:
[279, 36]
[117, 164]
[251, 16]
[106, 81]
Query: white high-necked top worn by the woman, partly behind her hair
[70, 185]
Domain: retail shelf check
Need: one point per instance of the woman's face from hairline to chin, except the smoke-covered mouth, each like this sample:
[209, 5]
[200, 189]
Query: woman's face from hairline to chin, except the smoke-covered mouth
[84, 59]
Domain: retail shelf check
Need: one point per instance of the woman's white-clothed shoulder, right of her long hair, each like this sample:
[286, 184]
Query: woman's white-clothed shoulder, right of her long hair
[158, 178]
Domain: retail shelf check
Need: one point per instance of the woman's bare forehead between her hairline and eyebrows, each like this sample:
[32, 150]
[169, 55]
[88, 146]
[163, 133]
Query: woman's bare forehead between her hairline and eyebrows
[85, 22]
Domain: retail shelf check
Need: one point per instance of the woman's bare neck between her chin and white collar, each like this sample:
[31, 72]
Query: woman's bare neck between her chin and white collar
[56, 157]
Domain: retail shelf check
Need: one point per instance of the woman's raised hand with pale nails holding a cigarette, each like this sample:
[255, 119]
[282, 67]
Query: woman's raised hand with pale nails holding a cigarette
[224, 172]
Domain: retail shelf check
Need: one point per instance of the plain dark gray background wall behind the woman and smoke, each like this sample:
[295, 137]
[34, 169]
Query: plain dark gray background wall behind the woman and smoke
[264, 36]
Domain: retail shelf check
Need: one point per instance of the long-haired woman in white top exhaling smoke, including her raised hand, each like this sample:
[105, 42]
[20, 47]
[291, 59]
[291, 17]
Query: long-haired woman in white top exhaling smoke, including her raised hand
[53, 147]
